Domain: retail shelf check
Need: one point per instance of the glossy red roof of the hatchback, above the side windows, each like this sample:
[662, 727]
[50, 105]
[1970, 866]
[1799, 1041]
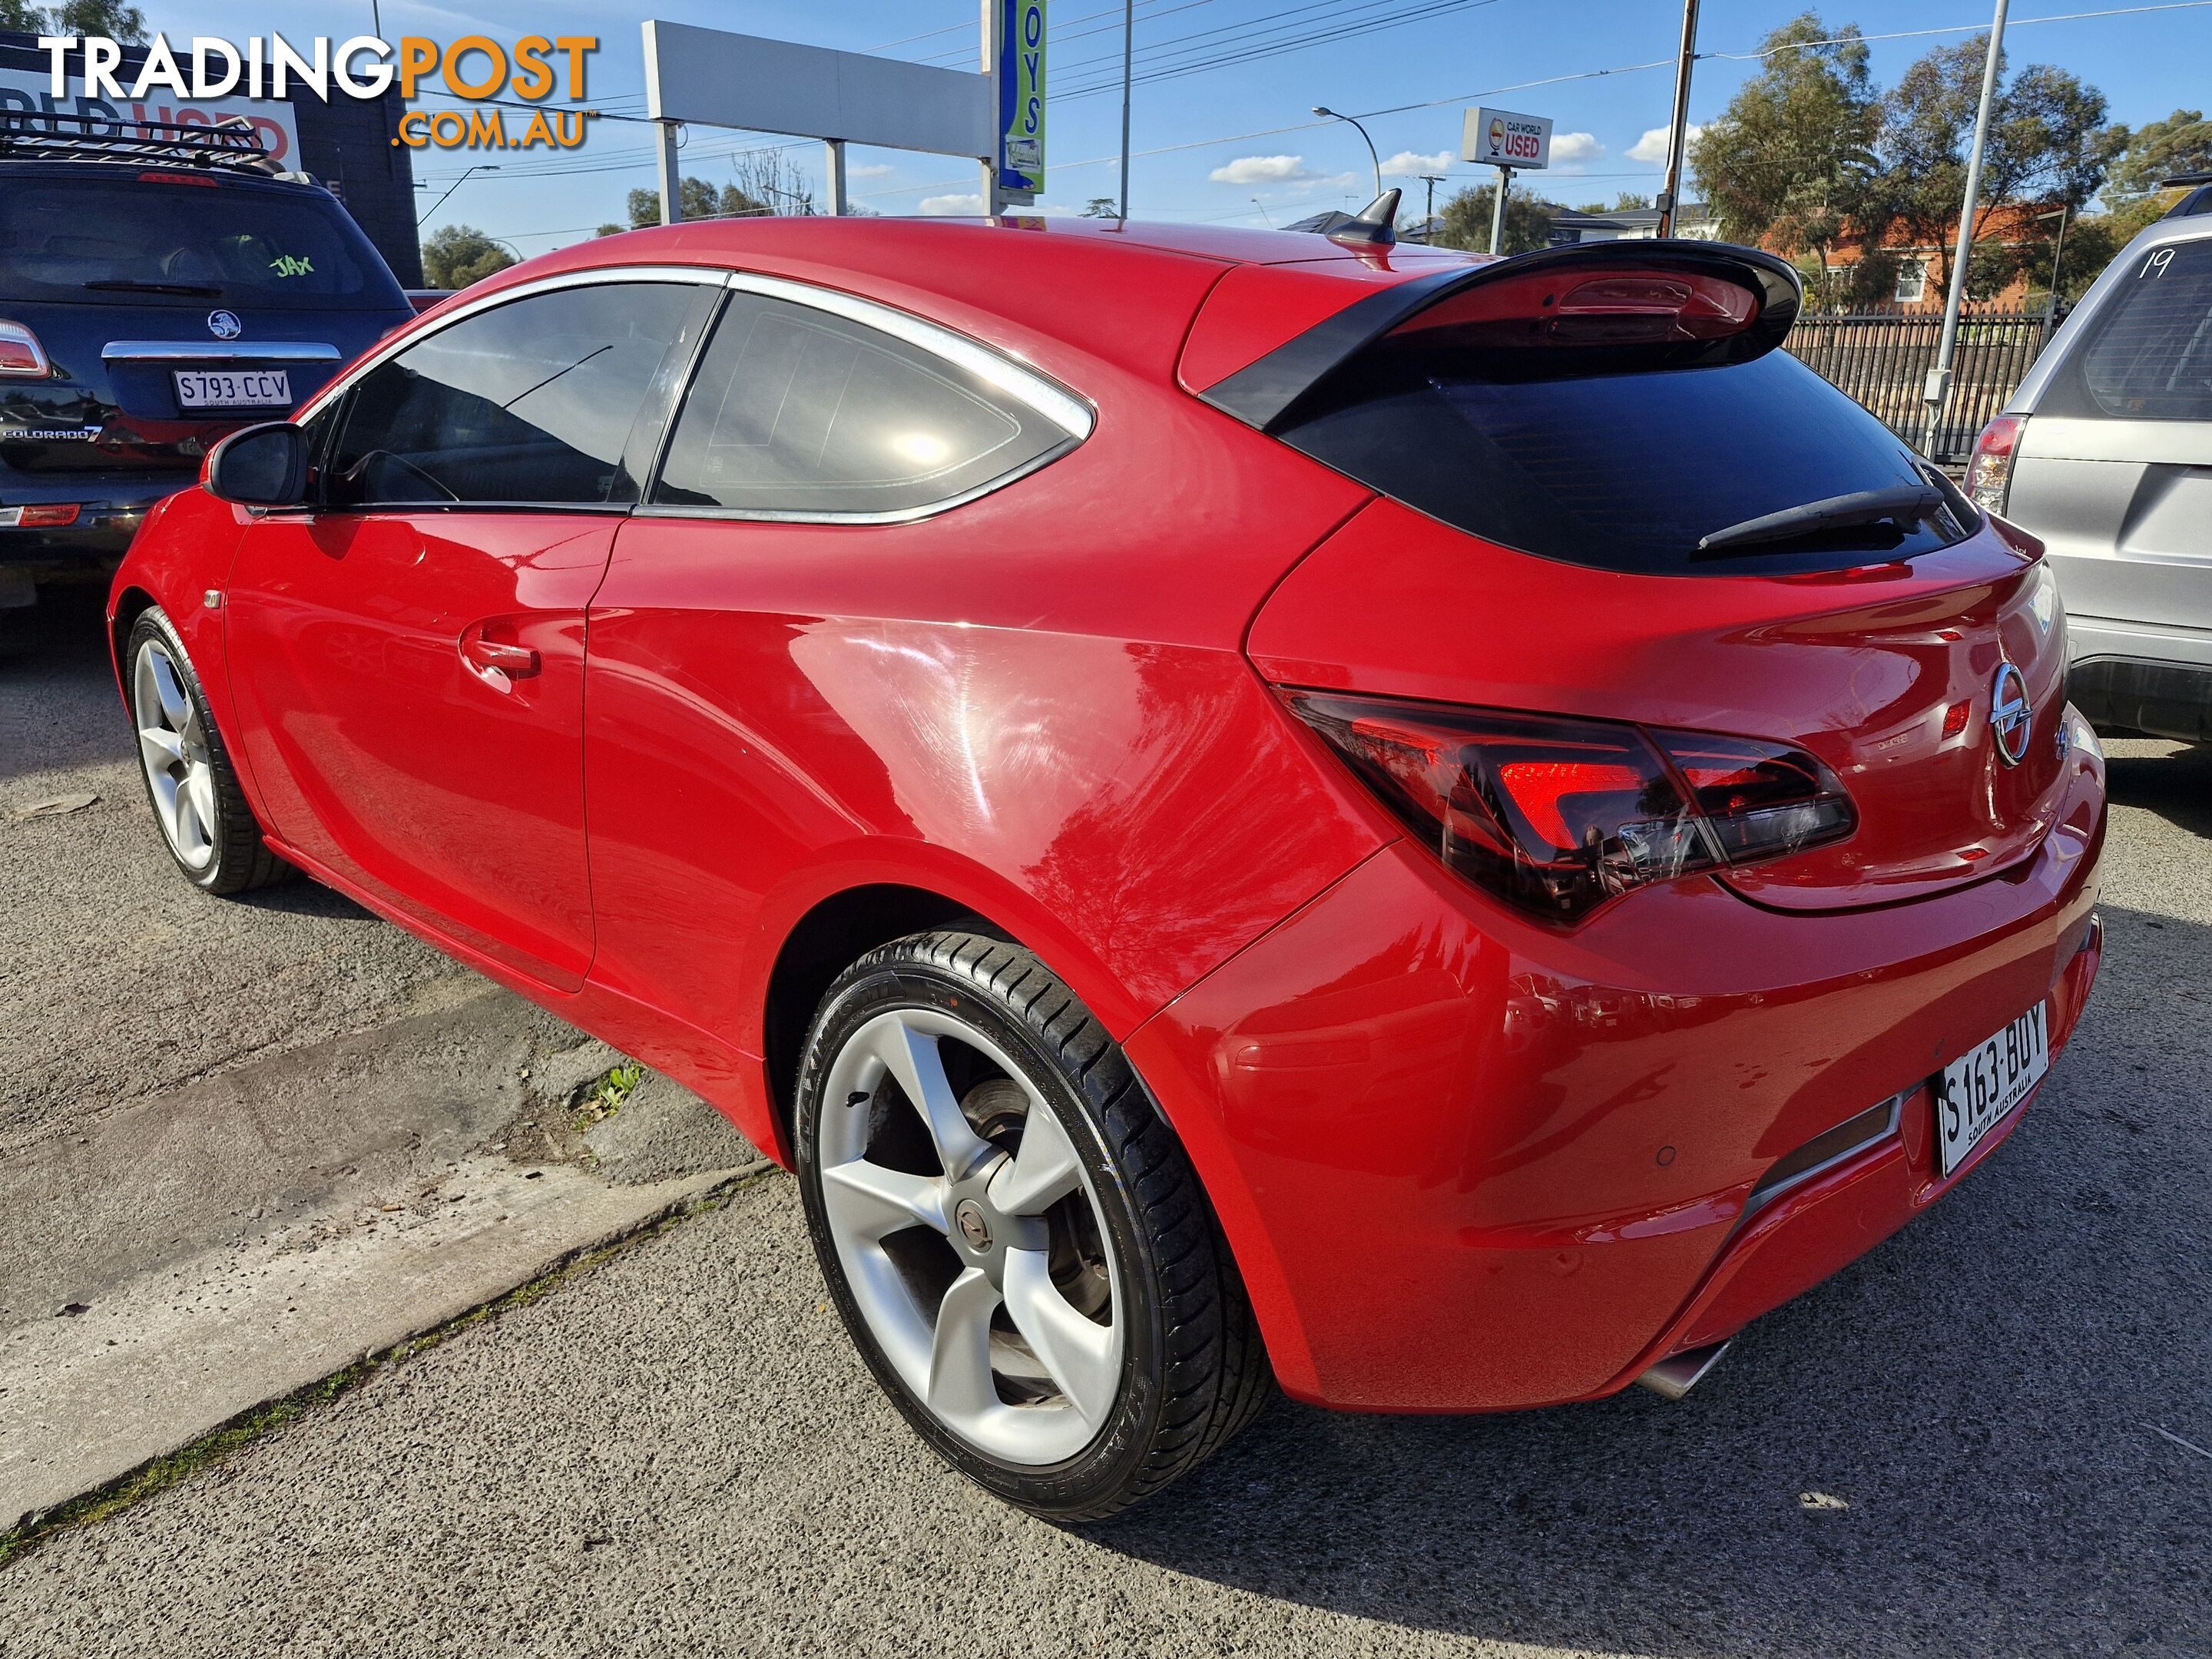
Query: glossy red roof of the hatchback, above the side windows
[1012, 280]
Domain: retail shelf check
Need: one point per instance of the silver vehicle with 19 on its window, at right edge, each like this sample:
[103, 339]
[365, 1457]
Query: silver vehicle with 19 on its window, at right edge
[2105, 452]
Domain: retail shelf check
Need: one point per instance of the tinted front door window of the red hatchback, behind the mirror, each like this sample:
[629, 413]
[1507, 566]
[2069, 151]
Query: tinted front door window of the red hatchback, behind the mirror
[523, 404]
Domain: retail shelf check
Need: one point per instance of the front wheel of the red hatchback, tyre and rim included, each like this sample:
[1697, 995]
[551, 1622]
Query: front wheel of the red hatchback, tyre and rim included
[185, 764]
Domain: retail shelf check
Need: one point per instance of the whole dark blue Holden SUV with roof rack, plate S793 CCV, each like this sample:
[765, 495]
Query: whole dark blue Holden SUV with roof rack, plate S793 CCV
[160, 286]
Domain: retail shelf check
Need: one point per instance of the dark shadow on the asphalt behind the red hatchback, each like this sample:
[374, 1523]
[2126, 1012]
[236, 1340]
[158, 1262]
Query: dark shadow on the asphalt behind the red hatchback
[1945, 1450]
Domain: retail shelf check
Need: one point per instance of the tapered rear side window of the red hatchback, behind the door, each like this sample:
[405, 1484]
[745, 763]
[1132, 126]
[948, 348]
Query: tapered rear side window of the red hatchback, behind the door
[813, 415]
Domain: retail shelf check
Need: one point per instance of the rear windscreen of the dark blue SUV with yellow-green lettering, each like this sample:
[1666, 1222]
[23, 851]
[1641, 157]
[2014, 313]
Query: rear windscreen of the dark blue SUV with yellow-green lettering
[143, 244]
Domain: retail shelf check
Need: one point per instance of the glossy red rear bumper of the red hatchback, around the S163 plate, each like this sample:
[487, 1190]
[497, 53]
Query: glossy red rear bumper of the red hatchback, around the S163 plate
[1468, 1165]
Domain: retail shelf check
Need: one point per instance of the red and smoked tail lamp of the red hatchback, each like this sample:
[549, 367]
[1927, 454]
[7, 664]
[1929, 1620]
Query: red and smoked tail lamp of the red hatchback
[1561, 815]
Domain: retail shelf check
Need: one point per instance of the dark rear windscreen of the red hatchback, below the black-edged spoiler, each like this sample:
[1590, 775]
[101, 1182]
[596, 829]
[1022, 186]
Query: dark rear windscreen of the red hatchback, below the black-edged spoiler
[1627, 470]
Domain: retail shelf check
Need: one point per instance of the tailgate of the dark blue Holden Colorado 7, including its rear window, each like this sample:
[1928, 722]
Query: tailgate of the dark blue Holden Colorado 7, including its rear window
[118, 280]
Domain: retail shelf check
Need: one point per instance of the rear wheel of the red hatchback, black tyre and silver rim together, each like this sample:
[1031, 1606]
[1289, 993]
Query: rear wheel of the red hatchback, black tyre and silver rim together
[1014, 1238]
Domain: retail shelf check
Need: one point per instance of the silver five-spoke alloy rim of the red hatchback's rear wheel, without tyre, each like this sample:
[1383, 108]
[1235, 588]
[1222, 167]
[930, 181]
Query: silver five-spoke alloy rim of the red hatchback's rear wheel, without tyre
[972, 1238]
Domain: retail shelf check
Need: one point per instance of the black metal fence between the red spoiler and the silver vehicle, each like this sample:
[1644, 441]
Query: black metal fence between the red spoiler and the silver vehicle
[1884, 362]
